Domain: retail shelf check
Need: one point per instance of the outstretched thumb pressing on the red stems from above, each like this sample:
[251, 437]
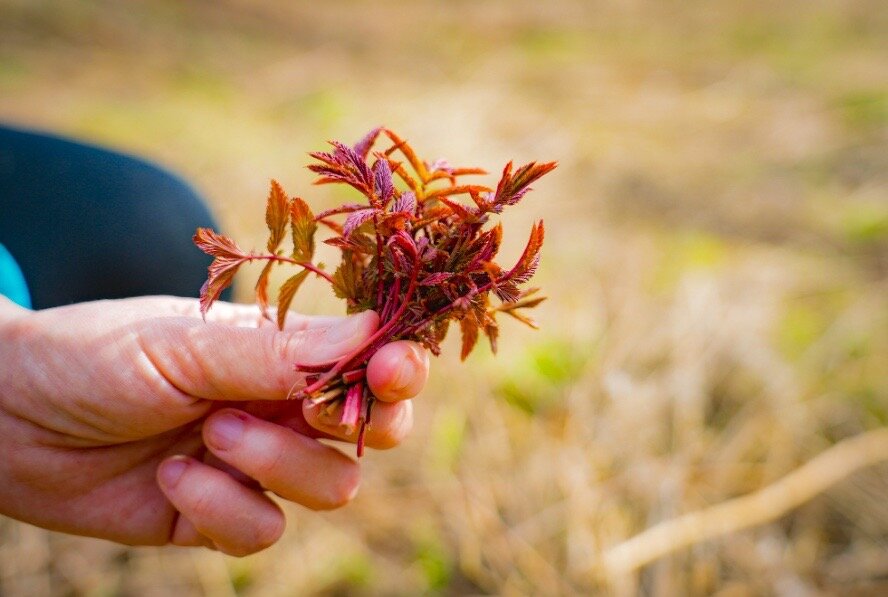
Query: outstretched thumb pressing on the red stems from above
[221, 362]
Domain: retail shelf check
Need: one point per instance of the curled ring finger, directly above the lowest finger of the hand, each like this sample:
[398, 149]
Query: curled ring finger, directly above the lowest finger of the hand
[297, 468]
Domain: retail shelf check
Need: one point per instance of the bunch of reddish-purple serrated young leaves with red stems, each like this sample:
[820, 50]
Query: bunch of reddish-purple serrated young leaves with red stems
[418, 248]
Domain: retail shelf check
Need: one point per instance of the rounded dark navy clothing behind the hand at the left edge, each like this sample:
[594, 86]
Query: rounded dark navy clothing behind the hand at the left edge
[86, 223]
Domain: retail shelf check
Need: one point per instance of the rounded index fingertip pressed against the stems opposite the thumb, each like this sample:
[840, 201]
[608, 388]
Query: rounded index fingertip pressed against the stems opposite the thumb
[398, 371]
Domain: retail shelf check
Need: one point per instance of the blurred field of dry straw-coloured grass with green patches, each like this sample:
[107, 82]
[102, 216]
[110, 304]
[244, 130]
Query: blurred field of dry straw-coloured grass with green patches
[716, 262]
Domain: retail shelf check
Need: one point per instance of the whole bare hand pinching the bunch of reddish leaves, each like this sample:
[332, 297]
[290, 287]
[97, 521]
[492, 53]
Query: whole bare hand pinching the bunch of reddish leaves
[135, 421]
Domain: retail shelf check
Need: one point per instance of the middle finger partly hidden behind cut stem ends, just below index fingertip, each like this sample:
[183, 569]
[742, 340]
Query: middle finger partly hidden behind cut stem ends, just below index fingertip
[390, 422]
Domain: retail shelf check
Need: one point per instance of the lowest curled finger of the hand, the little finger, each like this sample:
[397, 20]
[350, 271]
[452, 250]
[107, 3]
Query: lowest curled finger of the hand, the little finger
[237, 520]
